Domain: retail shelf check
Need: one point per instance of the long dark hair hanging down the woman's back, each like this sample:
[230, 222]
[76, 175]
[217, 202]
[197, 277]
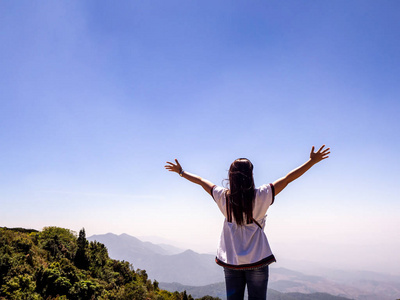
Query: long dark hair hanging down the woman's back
[240, 195]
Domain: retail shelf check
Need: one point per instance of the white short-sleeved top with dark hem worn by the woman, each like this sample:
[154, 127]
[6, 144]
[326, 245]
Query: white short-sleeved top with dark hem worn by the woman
[245, 246]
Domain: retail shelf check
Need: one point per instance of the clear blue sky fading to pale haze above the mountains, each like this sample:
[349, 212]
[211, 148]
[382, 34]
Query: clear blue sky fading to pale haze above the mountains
[95, 96]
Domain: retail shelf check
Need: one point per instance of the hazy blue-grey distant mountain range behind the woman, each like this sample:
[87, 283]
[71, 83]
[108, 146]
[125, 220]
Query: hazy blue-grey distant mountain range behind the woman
[175, 269]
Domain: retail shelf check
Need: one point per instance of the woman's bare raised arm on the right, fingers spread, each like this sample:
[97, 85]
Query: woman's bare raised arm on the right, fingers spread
[315, 157]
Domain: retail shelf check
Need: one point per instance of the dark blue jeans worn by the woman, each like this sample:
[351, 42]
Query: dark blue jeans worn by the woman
[256, 280]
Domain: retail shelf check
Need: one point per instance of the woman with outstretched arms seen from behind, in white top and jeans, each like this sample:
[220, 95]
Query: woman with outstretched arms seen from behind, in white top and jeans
[243, 249]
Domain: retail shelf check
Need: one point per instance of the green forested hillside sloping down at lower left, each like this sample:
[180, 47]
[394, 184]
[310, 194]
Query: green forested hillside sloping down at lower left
[55, 263]
